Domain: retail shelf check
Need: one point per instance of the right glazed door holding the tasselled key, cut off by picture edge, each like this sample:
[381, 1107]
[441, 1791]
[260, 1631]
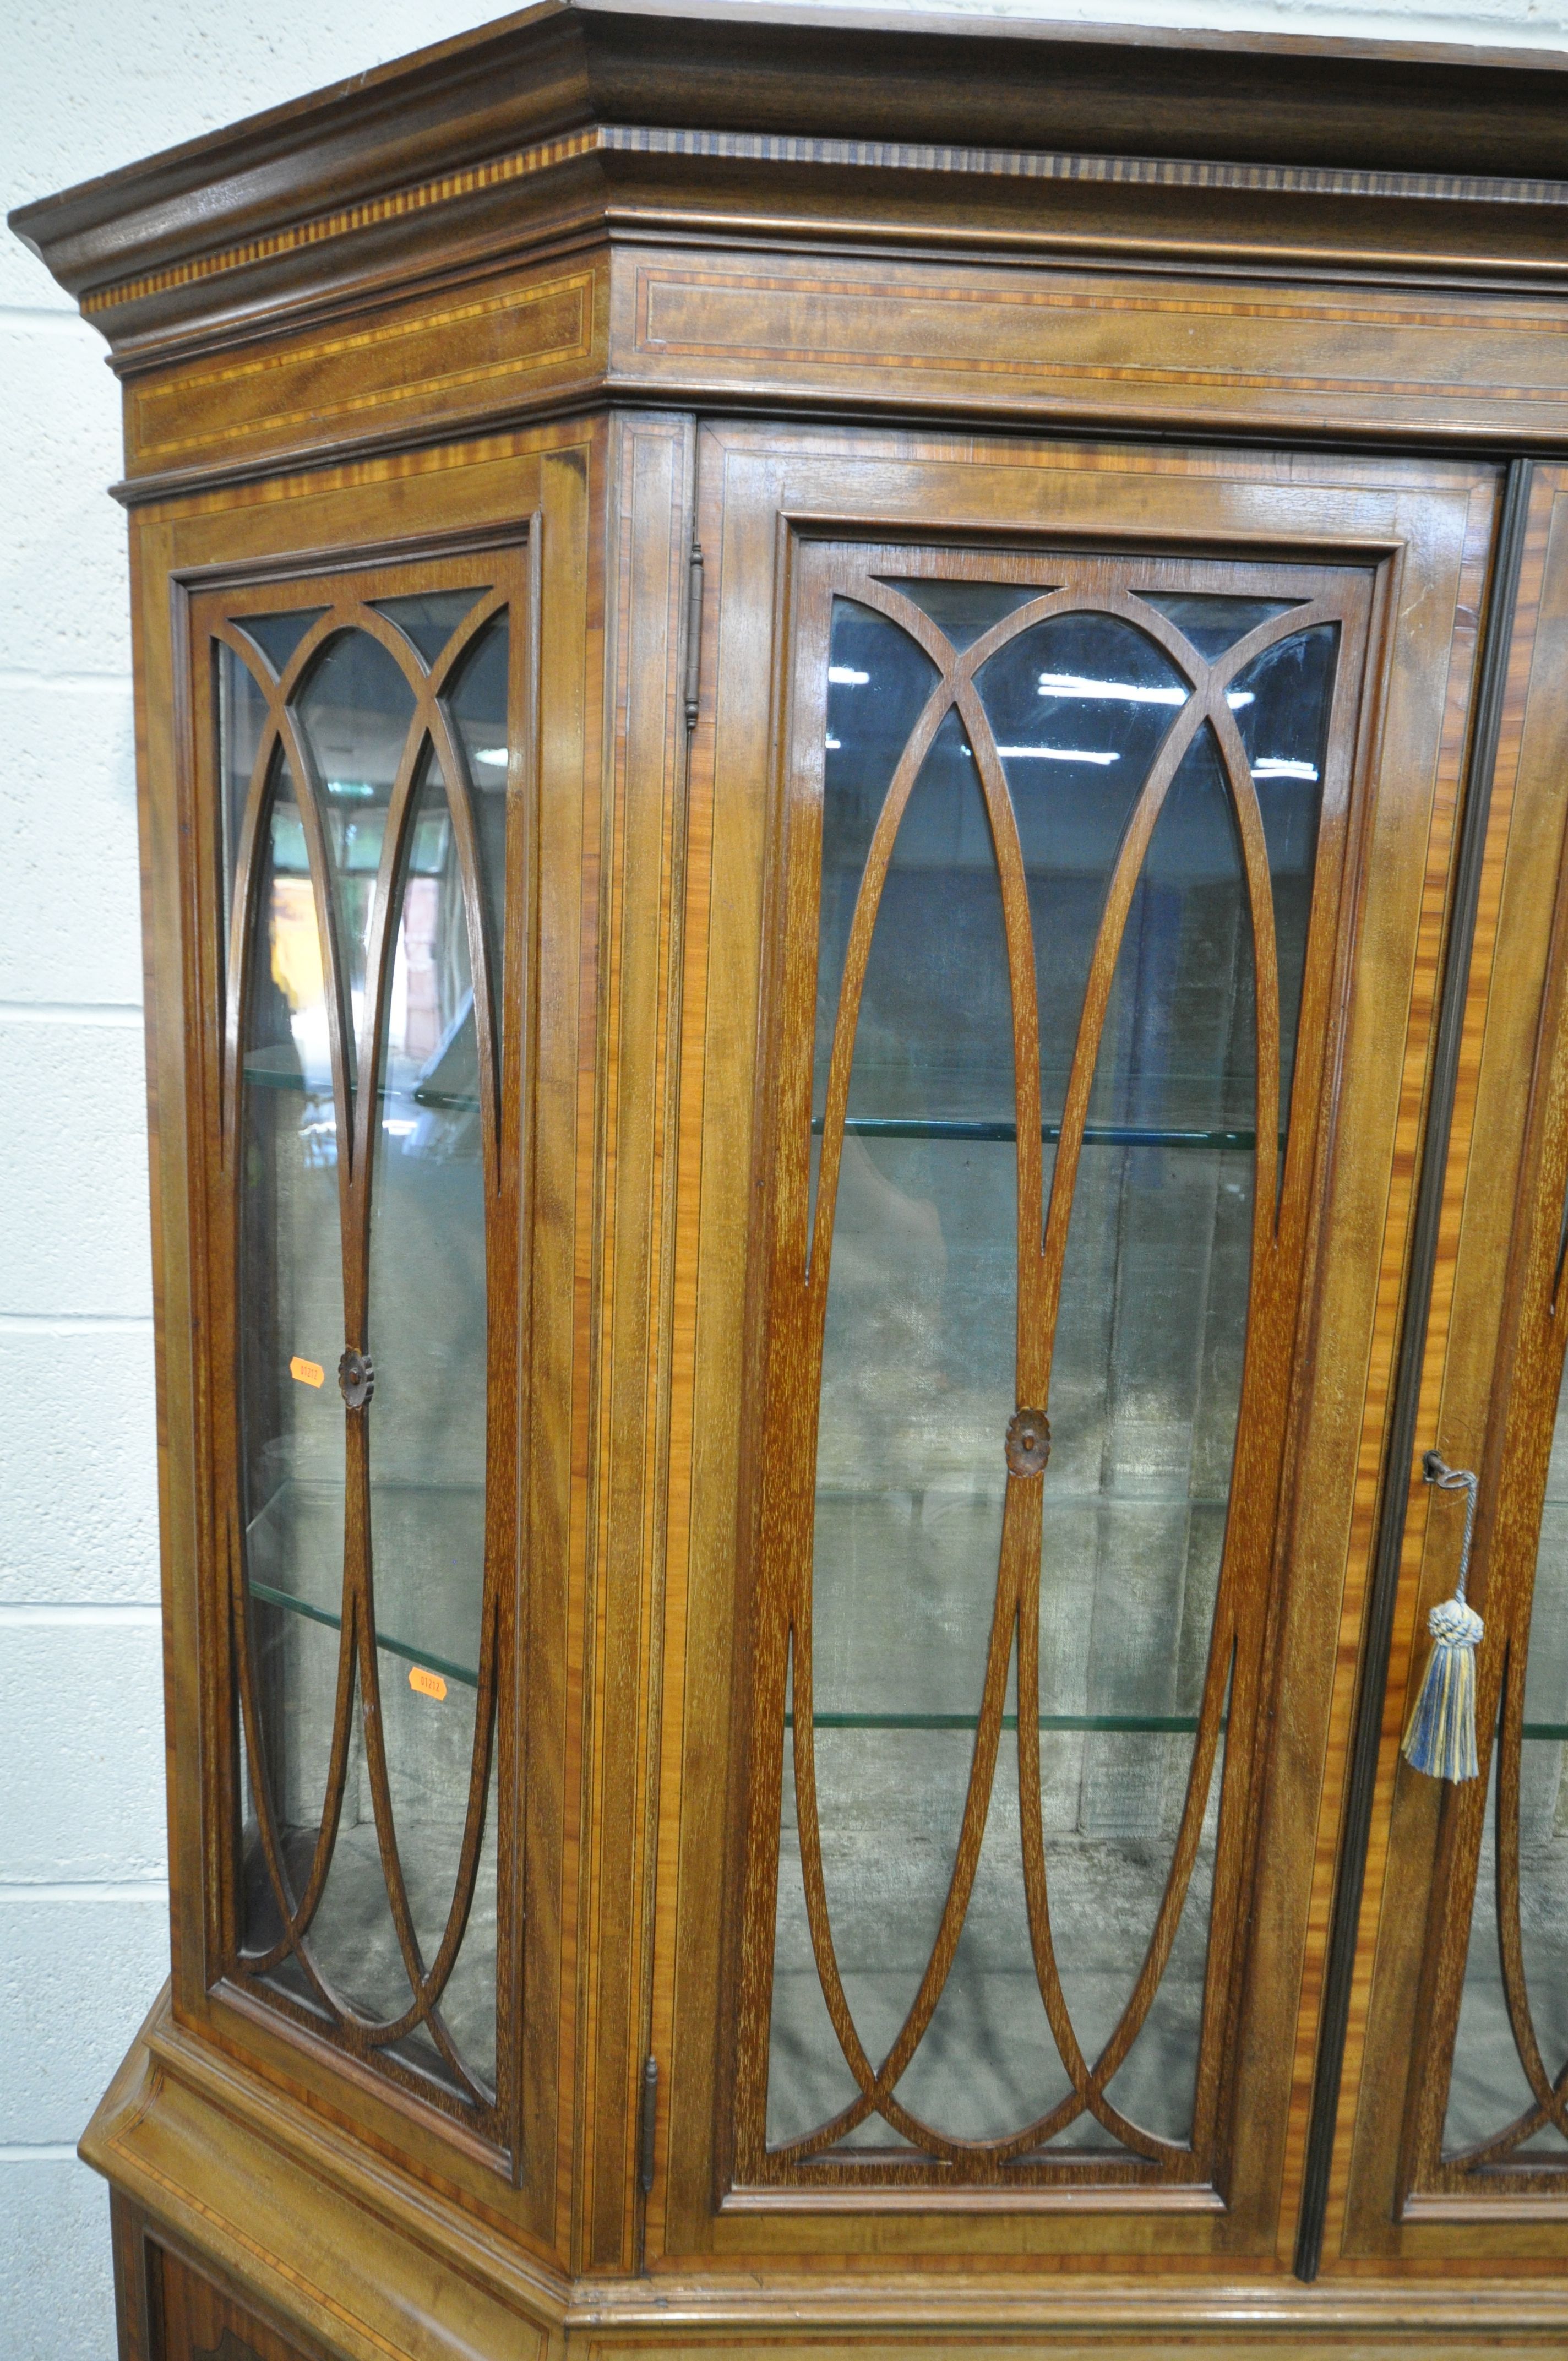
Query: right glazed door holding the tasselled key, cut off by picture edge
[1456, 2117]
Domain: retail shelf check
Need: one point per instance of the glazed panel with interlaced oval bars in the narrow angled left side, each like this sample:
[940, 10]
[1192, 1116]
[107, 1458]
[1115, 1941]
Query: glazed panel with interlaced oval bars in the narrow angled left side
[370, 761]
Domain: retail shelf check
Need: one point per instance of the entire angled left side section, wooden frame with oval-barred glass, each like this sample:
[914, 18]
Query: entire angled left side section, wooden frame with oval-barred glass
[381, 870]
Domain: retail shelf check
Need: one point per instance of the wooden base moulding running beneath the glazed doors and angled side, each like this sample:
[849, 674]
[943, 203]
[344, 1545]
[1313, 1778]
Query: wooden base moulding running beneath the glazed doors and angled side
[311, 2249]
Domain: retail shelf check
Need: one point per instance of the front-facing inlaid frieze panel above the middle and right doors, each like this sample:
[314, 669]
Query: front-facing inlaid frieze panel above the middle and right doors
[1073, 344]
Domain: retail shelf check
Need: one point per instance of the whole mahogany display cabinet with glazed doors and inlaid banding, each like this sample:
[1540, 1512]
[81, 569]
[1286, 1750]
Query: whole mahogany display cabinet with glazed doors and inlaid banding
[854, 766]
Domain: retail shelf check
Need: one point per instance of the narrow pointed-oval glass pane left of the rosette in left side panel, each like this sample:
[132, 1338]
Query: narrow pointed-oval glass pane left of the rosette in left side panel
[292, 1330]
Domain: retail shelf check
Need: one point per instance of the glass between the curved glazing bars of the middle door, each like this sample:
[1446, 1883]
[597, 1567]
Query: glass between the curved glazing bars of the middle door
[920, 1368]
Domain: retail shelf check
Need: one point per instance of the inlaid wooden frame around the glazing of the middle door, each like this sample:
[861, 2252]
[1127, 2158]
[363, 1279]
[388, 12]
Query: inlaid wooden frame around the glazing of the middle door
[754, 485]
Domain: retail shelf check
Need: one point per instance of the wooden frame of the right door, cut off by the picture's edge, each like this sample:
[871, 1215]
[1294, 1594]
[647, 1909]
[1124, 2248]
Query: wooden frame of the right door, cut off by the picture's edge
[1487, 1389]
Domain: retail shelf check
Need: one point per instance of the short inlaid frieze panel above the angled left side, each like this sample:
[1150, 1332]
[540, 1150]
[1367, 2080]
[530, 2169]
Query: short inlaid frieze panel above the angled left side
[471, 355]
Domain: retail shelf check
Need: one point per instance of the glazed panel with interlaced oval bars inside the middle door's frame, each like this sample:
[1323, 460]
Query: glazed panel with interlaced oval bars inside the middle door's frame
[1047, 842]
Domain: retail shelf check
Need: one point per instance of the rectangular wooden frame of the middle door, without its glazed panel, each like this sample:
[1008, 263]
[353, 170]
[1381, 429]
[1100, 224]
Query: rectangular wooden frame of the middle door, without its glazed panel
[733, 931]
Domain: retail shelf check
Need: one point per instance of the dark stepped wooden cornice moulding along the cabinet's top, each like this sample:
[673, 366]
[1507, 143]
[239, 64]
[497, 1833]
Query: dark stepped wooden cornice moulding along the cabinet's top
[584, 110]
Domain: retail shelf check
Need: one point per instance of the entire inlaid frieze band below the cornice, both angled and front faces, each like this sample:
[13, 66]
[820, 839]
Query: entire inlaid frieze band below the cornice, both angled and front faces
[1061, 346]
